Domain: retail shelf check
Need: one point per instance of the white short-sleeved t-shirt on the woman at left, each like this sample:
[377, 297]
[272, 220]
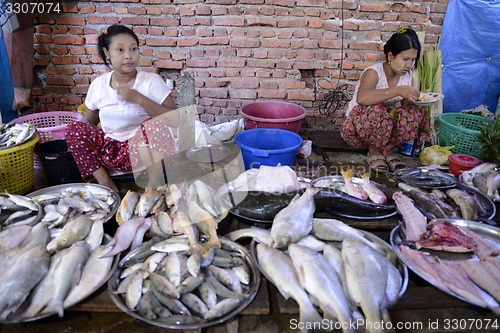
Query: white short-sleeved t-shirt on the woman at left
[120, 119]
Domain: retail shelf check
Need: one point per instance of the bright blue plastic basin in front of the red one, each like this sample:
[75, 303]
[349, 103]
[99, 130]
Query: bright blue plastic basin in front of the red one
[268, 146]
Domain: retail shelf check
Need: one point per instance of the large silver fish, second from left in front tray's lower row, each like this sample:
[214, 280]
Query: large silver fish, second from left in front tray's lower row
[319, 279]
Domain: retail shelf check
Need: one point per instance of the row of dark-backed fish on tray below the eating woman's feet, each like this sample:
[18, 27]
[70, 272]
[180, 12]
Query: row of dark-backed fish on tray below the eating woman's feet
[450, 203]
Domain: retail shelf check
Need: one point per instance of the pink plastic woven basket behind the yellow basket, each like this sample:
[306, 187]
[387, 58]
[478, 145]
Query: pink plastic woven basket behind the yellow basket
[49, 126]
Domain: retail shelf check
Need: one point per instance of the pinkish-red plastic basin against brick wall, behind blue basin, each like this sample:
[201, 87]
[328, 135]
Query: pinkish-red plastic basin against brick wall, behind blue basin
[273, 114]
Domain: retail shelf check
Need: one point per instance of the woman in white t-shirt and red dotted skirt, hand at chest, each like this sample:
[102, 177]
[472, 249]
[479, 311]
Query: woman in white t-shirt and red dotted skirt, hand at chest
[134, 108]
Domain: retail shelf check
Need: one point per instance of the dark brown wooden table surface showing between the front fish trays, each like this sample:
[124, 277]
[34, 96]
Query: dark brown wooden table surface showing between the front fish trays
[422, 308]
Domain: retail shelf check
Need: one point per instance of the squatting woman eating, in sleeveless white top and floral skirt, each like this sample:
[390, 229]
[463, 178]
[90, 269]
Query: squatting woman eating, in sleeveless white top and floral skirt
[382, 114]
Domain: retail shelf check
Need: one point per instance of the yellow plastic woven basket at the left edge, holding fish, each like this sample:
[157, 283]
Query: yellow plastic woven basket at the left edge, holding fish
[17, 168]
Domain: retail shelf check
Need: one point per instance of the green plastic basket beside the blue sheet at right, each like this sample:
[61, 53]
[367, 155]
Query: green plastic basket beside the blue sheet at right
[461, 130]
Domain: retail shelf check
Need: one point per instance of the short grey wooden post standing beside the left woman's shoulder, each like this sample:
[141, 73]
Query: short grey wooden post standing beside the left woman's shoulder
[187, 108]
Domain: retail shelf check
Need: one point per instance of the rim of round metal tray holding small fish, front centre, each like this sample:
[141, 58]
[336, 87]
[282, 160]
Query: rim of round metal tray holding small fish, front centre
[251, 291]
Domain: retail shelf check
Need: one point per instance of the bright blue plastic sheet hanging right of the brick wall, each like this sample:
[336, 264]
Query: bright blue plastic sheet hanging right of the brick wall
[471, 54]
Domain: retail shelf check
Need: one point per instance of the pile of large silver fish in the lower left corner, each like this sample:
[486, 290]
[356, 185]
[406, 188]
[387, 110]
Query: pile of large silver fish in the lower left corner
[47, 270]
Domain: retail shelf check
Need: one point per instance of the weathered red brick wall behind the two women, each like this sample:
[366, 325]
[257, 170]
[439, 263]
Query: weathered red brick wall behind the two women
[238, 51]
